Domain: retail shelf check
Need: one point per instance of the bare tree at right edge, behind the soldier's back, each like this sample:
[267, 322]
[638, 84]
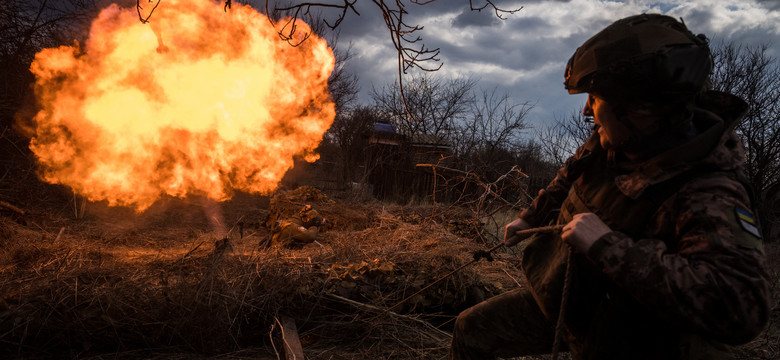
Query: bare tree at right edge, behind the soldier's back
[752, 74]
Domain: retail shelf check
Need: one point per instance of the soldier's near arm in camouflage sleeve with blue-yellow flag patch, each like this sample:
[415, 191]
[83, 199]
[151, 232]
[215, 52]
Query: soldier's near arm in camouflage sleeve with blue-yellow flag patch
[711, 278]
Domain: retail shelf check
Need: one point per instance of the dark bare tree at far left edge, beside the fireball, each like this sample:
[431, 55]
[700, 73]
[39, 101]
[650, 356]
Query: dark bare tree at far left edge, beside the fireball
[27, 26]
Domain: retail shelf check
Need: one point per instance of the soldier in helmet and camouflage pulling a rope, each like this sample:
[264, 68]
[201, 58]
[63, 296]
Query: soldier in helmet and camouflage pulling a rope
[664, 254]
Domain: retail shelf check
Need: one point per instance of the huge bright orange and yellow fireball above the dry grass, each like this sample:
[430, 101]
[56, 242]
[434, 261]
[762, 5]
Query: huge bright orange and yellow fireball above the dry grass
[198, 101]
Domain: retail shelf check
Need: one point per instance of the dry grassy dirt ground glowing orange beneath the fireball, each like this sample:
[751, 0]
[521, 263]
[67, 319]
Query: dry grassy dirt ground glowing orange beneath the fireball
[194, 279]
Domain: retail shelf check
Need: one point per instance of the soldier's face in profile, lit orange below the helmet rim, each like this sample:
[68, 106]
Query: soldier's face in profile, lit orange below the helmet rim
[612, 132]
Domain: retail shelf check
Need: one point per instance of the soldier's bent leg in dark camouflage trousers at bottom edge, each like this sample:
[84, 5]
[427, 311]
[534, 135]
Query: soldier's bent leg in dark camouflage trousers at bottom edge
[507, 325]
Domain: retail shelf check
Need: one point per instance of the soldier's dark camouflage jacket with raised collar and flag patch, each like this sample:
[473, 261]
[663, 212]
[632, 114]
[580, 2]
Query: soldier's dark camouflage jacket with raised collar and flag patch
[682, 273]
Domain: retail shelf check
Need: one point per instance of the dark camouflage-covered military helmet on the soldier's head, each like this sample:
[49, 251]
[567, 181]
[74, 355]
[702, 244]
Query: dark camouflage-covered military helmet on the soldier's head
[648, 57]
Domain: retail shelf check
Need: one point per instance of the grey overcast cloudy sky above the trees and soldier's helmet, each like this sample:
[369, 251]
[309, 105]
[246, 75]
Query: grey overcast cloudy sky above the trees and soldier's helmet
[525, 55]
